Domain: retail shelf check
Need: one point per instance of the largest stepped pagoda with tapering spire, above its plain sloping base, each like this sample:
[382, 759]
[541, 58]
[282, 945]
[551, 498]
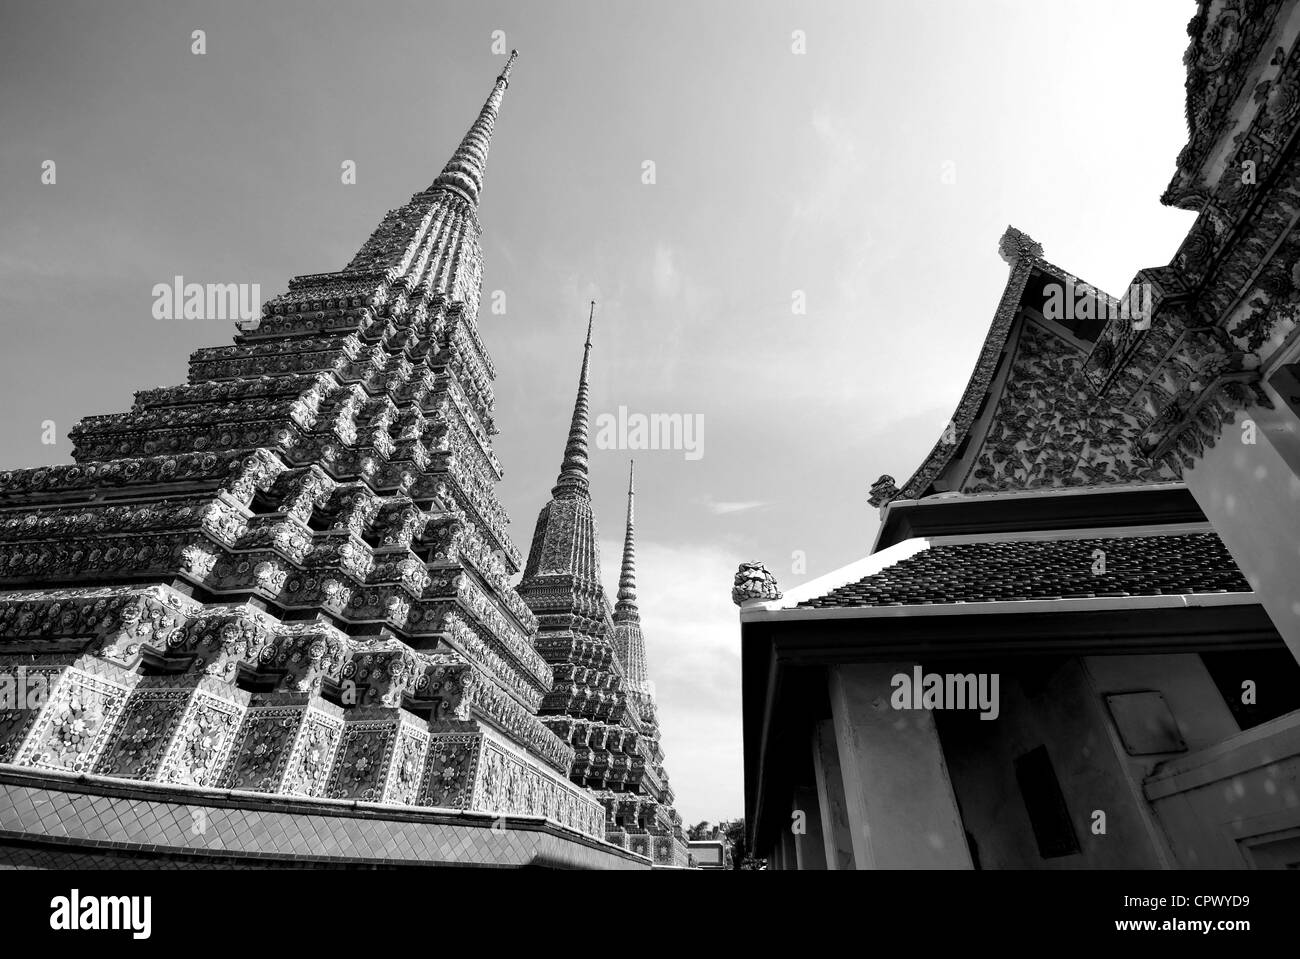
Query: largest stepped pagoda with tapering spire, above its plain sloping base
[292, 574]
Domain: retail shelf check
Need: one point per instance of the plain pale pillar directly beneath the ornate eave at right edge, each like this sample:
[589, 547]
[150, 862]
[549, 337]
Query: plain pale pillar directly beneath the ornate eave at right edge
[1251, 496]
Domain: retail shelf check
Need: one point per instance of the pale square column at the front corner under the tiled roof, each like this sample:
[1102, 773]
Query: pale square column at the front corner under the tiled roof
[903, 813]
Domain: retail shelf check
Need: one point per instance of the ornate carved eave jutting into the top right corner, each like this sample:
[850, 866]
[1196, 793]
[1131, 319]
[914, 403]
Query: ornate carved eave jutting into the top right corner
[1232, 284]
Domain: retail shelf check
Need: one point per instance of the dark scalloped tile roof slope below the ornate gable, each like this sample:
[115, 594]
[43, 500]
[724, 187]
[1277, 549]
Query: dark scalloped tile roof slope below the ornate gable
[989, 572]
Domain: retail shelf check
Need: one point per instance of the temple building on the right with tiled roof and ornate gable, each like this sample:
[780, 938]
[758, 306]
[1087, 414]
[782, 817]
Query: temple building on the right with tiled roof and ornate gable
[1076, 640]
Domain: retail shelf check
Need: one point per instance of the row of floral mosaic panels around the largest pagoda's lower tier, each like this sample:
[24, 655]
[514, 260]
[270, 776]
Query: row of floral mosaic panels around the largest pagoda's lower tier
[200, 731]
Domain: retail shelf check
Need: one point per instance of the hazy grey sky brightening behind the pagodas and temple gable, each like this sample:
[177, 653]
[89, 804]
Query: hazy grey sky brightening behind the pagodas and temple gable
[860, 159]
